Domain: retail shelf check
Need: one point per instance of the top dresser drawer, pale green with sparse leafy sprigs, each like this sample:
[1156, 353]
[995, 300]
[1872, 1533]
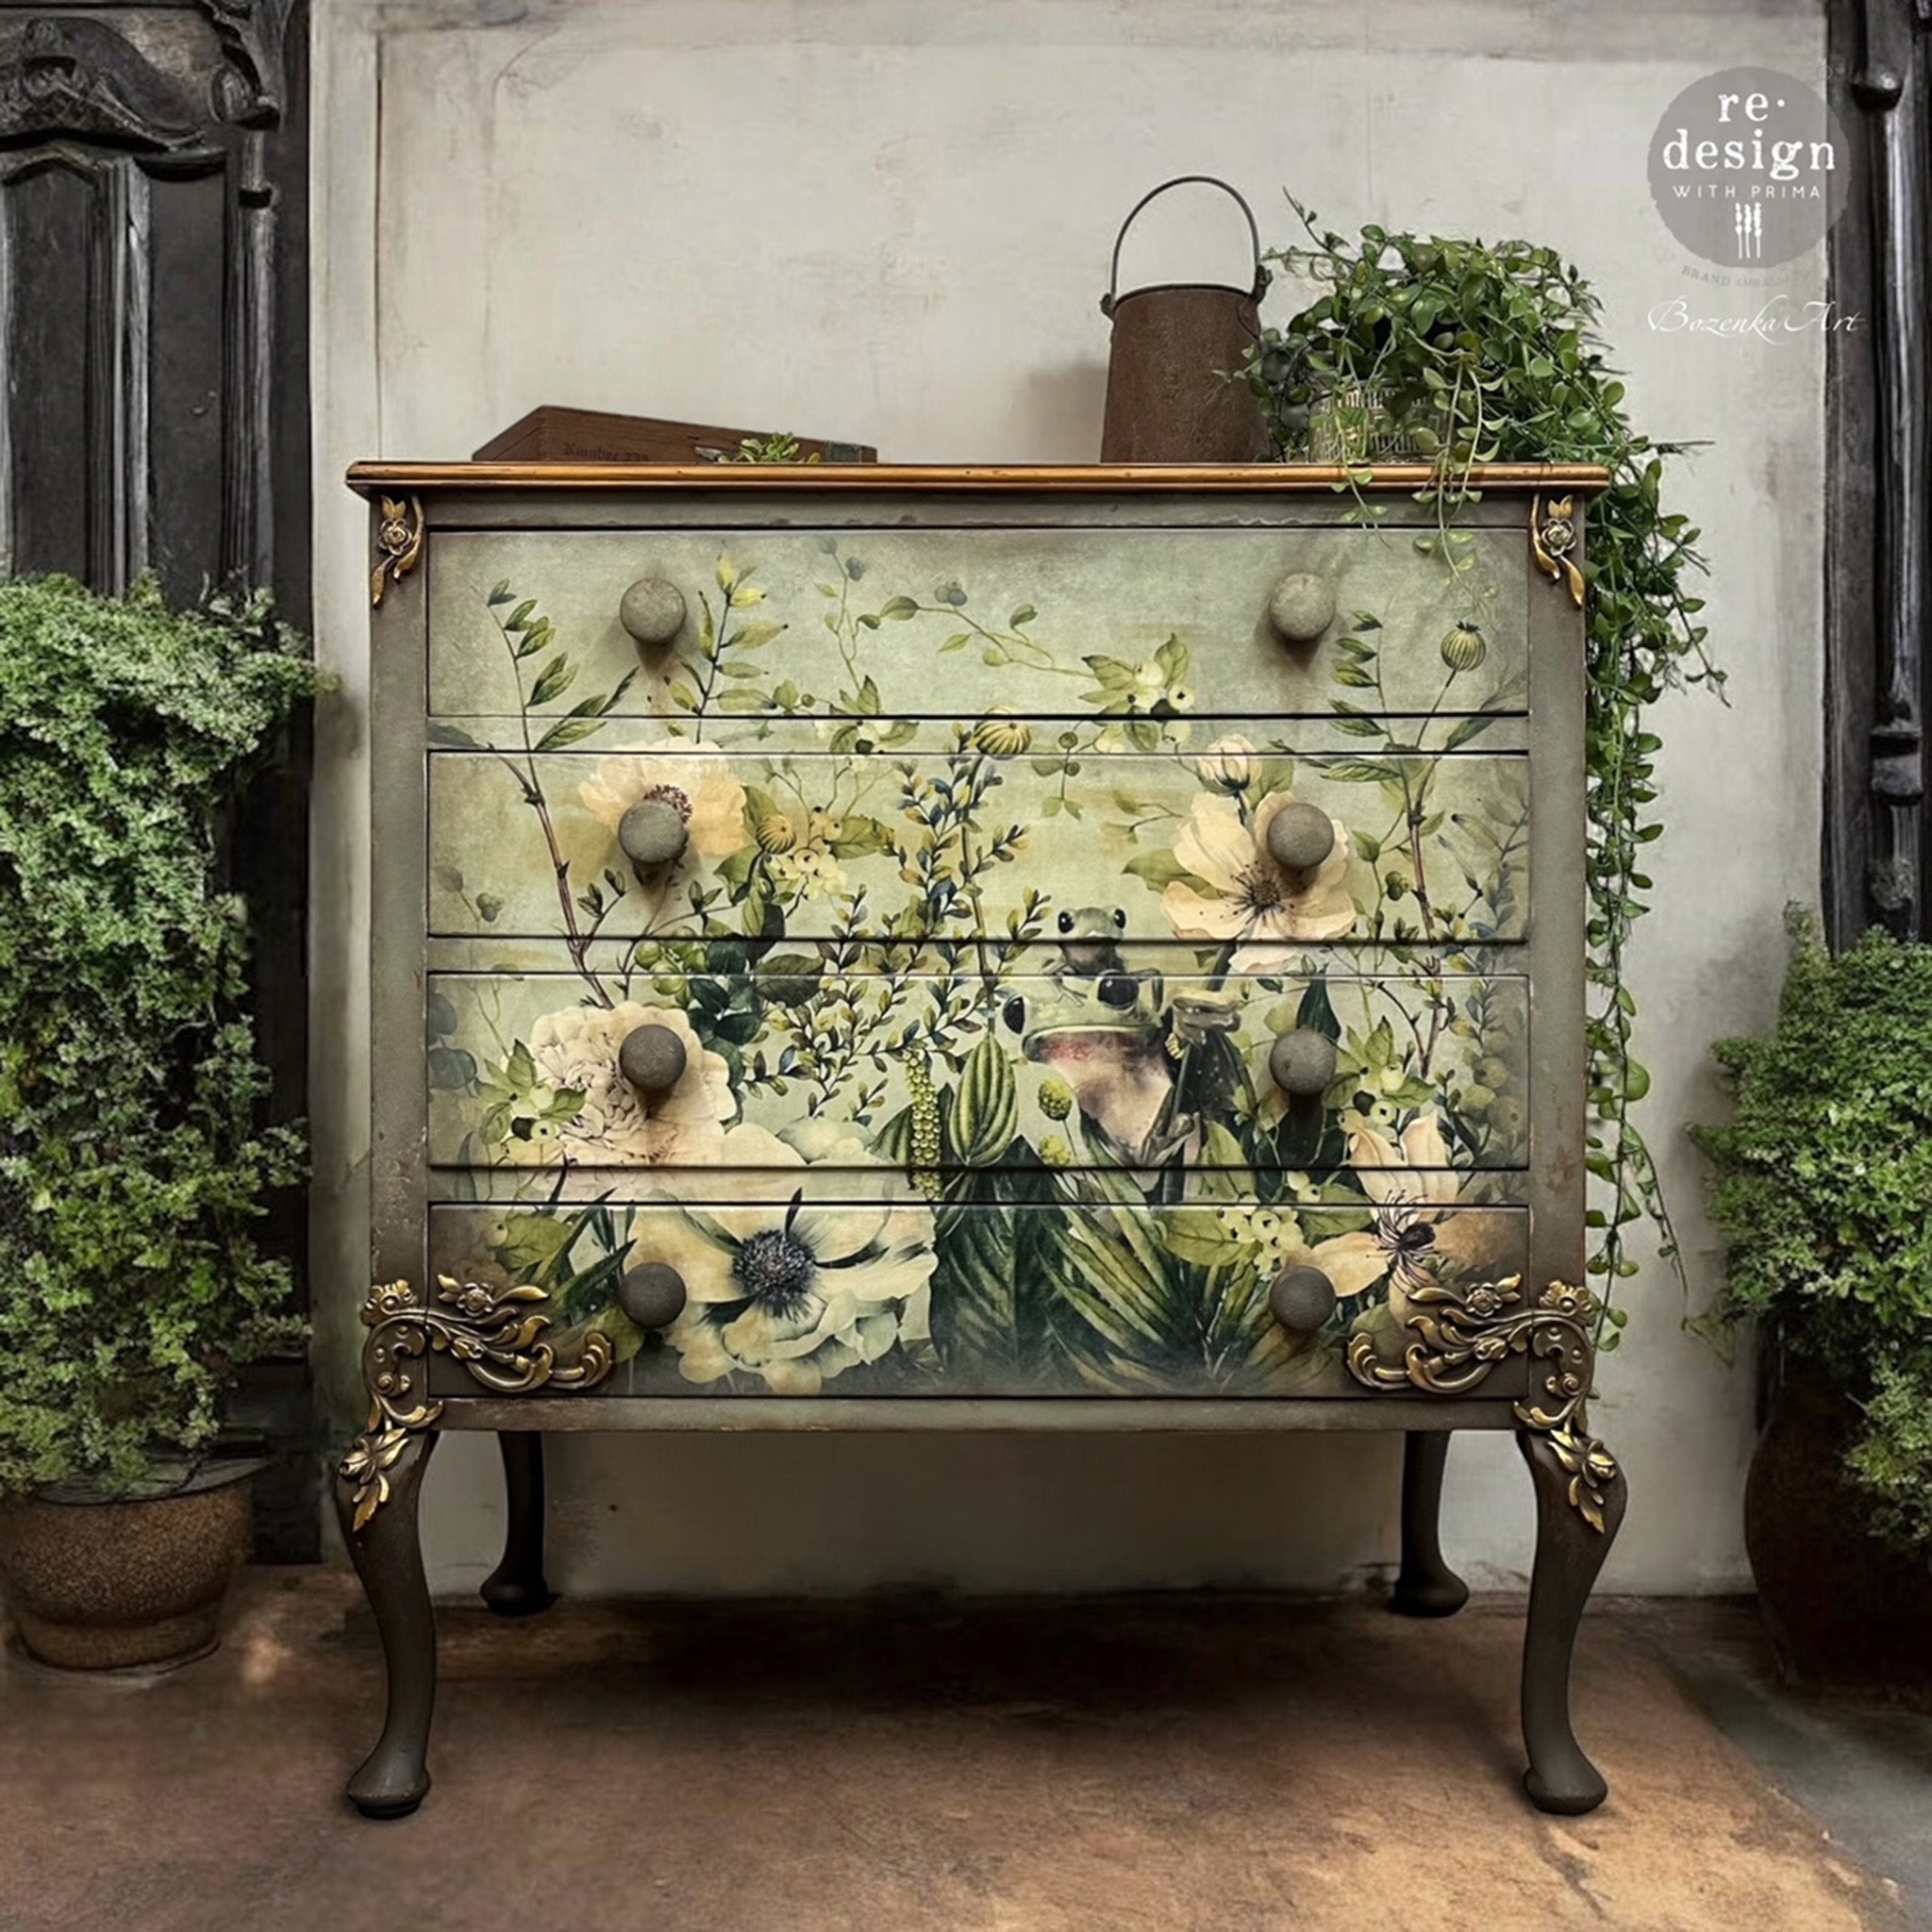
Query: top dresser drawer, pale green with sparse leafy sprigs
[930, 623]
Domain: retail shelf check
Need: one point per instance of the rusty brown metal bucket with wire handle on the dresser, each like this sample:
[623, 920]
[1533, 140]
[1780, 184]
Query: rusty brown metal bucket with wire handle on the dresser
[1172, 387]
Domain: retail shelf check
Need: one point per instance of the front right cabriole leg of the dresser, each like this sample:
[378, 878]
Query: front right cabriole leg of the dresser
[1570, 1552]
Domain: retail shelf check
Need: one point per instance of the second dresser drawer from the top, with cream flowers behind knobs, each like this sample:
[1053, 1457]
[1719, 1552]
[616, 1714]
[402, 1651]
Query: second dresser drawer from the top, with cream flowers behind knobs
[992, 843]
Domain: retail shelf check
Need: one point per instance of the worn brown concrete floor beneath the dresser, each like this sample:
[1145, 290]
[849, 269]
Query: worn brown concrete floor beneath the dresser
[928, 1767]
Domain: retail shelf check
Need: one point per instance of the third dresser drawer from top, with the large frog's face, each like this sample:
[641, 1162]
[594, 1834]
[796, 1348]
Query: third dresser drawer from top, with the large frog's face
[1102, 1060]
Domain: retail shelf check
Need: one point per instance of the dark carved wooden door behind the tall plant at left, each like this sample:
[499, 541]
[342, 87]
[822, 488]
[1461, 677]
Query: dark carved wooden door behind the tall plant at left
[154, 416]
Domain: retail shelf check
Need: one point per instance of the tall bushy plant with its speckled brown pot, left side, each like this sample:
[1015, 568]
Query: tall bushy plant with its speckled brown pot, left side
[132, 1162]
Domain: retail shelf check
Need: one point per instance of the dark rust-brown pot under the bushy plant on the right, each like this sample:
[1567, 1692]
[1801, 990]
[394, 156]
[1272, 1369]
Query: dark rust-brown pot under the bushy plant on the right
[1842, 1610]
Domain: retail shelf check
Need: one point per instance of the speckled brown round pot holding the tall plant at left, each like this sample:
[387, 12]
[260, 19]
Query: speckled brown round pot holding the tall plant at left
[119, 1585]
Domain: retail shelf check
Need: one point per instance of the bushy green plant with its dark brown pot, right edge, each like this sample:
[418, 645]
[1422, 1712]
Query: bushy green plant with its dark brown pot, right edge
[1823, 1189]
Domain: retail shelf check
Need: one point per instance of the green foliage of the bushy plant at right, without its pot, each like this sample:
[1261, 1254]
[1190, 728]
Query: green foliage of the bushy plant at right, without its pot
[1823, 1189]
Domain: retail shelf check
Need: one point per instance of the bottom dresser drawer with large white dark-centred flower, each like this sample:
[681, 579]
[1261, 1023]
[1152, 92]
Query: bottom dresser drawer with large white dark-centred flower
[1067, 1284]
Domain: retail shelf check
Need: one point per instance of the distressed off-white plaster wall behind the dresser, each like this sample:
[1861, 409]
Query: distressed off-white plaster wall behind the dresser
[890, 221]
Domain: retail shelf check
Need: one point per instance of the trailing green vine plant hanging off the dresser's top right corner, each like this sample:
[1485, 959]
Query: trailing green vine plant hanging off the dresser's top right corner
[1491, 353]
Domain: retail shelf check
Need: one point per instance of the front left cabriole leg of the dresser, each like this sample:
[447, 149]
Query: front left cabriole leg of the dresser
[389, 1558]
